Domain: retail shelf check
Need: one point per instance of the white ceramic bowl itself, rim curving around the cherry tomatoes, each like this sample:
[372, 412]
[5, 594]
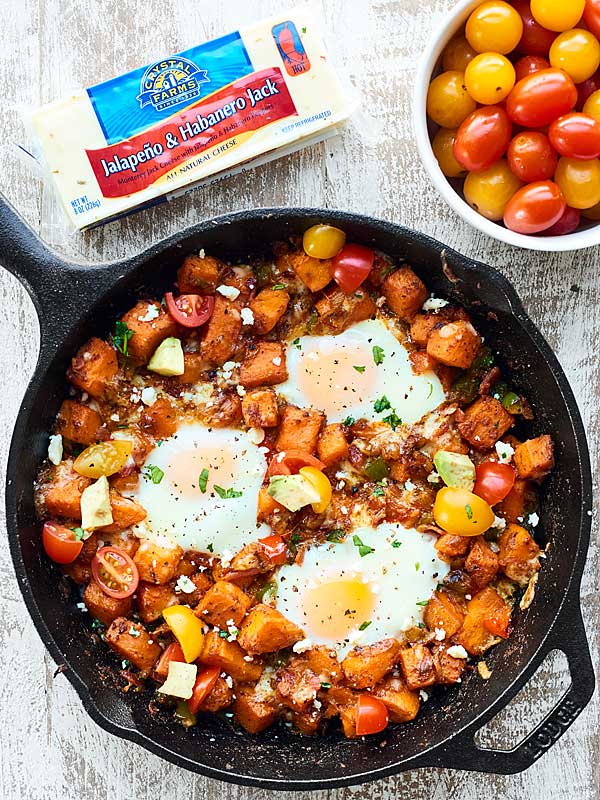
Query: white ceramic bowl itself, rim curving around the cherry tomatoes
[453, 22]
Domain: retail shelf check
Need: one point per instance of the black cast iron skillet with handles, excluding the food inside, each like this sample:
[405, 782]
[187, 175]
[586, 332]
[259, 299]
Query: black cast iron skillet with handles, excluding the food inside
[74, 302]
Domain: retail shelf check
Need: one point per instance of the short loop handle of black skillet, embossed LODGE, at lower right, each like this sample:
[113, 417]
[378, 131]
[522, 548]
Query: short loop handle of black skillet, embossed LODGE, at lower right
[569, 636]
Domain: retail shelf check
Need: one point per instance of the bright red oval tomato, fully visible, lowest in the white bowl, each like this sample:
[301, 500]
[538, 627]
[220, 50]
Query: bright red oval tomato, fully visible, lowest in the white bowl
[535, 208]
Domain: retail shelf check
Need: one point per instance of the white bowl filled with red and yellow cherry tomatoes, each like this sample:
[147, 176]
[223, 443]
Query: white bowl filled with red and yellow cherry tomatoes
[507, 119]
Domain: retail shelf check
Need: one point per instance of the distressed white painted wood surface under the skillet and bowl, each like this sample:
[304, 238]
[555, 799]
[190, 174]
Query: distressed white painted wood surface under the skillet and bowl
[49, 748]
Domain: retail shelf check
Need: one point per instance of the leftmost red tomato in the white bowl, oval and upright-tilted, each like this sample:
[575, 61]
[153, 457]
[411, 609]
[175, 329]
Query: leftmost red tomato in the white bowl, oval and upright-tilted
[482, 138]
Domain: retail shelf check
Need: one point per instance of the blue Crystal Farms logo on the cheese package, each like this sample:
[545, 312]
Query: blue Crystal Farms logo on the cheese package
[171, 82]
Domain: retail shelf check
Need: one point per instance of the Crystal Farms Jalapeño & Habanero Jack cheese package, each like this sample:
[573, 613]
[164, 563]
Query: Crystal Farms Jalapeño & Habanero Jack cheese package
[148, 135]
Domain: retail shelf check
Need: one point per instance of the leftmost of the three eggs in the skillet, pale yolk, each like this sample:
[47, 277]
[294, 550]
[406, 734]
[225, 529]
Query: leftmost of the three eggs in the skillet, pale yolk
[207, 496]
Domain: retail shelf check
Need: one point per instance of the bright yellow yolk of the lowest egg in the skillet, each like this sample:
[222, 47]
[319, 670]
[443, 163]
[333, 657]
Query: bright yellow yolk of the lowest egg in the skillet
[336, 608]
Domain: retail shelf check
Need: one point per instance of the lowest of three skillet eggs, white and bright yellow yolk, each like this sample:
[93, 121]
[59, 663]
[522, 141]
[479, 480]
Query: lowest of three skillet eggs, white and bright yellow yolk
[371, 586]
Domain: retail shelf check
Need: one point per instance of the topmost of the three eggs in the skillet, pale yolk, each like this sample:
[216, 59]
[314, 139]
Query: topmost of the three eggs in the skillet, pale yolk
[339, 375]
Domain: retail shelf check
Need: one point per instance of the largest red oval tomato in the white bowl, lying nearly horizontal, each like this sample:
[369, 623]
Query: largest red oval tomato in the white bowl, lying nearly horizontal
[539, 98]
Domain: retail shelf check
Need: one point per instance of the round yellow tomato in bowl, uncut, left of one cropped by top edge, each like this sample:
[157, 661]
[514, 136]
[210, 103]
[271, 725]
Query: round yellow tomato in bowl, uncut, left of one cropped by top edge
[494, 26]
